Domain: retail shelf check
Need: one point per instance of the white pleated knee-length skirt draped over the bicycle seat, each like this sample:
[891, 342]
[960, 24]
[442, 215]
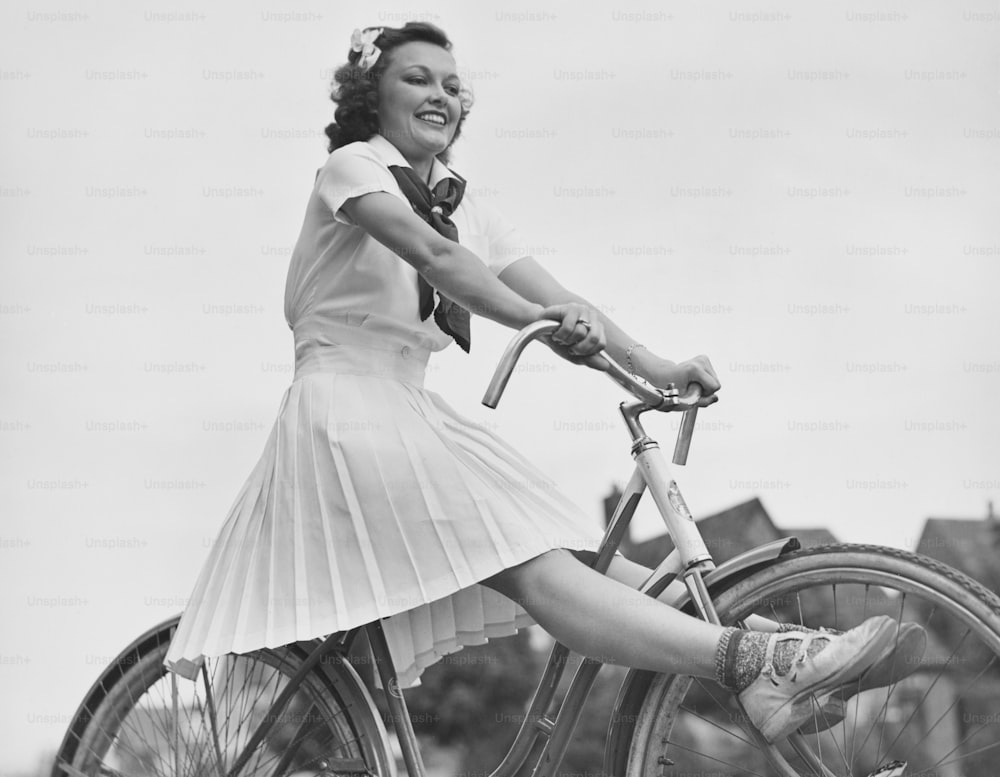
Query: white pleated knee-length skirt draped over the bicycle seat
[373, 499]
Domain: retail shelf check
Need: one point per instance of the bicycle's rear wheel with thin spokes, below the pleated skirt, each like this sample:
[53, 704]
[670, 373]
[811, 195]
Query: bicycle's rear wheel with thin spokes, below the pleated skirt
[139, 720]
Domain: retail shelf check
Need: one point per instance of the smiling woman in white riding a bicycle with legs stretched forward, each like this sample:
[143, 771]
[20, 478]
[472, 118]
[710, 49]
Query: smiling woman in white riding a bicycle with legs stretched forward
[374, 499]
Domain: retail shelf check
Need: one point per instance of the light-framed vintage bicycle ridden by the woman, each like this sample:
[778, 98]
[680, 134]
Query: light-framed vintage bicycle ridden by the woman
[303, 709]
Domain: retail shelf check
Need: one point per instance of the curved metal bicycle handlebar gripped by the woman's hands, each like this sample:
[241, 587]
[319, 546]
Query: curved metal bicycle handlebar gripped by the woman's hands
[664, 400]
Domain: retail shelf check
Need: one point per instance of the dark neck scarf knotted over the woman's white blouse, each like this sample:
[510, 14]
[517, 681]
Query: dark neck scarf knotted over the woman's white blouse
[435, 207]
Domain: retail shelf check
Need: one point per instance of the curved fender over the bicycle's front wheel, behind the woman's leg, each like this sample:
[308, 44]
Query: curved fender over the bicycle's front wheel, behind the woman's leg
[625, 712]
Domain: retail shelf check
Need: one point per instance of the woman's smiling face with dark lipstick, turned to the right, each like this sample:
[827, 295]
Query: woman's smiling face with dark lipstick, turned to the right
[419, 106]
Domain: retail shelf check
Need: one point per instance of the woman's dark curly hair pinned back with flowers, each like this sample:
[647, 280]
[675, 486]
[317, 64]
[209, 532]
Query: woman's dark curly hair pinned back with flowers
[355, 91]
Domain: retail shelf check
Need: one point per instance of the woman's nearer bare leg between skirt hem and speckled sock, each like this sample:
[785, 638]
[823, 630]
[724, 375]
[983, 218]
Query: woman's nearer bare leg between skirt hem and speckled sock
[598, 616]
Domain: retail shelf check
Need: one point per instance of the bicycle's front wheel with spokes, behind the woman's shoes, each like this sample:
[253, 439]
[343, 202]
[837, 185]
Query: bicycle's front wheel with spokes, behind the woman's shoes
[942, 720]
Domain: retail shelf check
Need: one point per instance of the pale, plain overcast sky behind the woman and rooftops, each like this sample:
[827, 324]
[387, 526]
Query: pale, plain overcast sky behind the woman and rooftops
[809, 198]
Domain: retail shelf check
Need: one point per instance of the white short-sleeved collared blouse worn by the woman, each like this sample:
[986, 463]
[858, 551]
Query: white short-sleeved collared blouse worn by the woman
[342, 283]
